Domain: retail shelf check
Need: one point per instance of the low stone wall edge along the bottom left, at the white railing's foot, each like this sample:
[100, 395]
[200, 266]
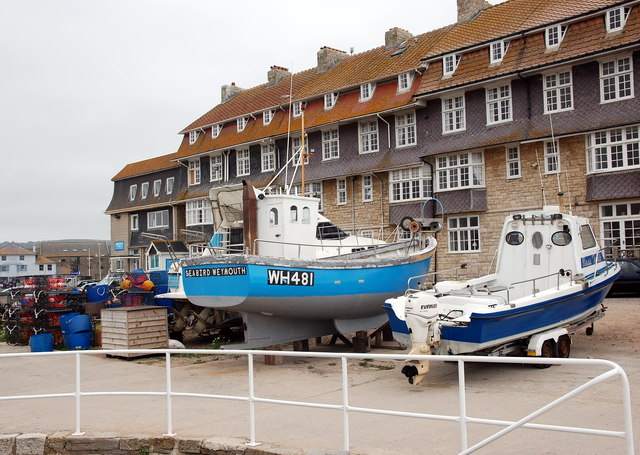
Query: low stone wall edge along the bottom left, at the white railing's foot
[65, 443]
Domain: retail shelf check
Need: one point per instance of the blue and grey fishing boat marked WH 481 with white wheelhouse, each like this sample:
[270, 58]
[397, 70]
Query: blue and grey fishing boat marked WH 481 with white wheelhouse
[298, 276]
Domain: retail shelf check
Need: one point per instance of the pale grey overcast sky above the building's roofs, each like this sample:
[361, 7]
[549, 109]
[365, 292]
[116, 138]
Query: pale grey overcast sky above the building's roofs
[88, 86]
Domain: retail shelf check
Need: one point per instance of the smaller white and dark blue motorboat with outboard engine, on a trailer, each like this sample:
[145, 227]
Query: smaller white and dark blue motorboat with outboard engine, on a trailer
[550, 277]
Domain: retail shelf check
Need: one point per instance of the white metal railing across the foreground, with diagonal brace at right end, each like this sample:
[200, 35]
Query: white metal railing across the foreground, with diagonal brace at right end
[463, 419]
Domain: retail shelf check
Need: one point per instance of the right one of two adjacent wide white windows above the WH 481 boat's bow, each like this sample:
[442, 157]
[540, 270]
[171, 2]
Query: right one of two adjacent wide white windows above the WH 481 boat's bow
[460, 171]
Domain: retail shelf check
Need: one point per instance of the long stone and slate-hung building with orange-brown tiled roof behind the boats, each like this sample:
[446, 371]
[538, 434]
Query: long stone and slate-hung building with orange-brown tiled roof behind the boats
[518, 105]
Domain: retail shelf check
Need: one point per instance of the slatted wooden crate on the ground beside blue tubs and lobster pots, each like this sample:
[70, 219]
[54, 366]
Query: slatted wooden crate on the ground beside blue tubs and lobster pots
[139, 327]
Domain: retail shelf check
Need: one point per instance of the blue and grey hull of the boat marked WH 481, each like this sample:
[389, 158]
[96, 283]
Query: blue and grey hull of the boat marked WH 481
[310, 291]
